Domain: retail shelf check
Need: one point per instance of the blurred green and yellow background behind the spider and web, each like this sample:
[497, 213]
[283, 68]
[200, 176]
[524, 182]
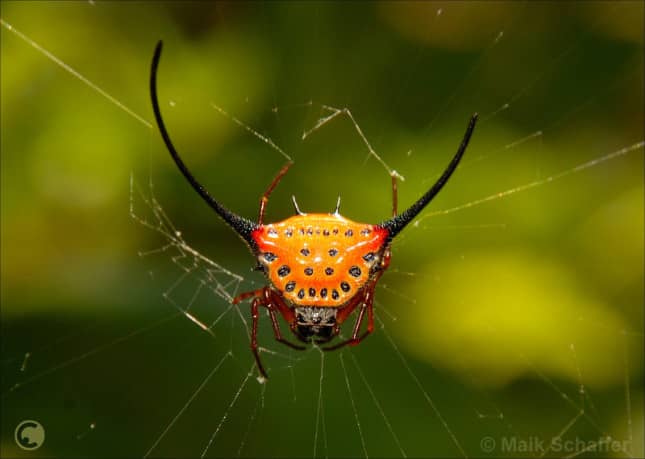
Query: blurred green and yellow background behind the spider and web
[520, 317]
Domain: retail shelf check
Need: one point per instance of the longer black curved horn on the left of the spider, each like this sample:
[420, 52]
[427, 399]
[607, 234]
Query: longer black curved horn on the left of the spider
[241, 225]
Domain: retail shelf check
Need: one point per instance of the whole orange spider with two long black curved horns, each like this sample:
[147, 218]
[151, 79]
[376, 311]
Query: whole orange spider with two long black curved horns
[320, 267]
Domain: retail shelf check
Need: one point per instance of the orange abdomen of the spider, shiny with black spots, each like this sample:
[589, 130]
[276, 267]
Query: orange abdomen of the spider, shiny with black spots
[319, 259]
